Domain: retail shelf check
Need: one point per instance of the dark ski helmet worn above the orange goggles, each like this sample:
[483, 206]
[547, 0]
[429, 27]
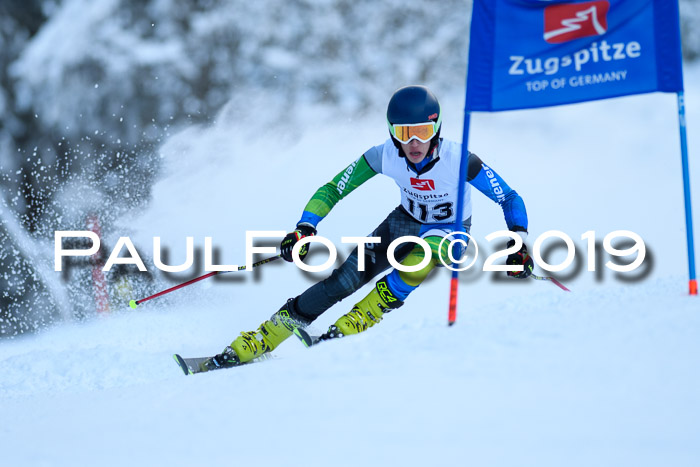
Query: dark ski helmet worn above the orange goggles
[414, 104]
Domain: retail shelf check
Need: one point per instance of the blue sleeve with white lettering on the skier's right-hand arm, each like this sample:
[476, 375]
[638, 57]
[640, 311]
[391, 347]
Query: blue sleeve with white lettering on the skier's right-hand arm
[487, 181]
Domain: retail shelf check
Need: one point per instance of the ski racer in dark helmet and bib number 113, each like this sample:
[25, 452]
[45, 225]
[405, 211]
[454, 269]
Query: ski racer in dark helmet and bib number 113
[426, 168]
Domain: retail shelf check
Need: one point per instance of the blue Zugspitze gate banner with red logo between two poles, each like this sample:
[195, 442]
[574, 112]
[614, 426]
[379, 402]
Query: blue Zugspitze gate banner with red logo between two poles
[538, 53]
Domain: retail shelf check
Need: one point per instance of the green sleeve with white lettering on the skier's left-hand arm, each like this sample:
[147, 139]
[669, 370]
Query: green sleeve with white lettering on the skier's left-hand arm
[342, 185]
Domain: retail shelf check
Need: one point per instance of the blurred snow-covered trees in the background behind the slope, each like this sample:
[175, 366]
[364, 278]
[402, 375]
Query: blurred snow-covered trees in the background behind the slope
[90, 89]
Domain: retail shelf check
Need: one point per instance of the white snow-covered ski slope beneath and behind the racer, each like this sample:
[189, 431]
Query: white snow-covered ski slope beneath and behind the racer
[529, 375]
